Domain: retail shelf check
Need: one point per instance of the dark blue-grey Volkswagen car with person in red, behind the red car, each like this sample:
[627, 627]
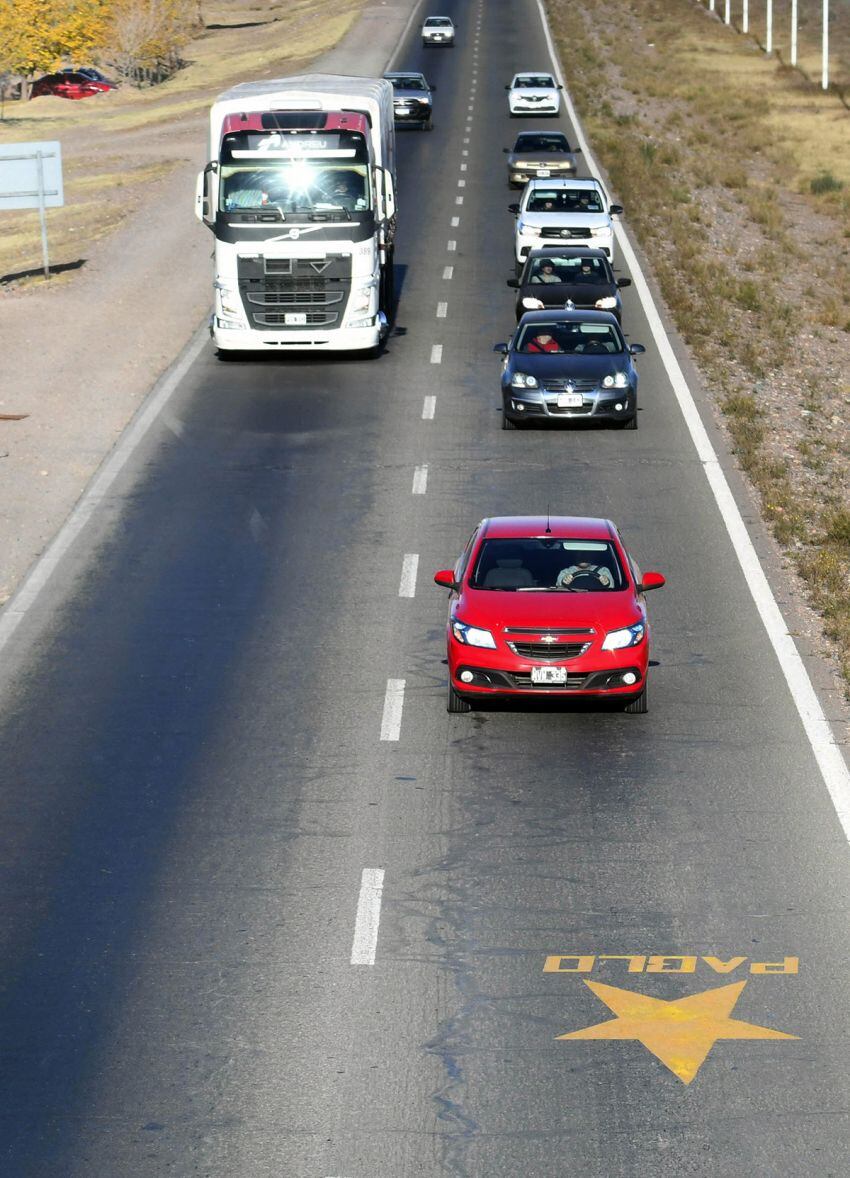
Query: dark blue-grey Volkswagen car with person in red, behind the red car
[569, 367]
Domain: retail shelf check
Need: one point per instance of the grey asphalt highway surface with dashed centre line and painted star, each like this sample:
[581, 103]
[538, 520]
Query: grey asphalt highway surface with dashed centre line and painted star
[233, 706]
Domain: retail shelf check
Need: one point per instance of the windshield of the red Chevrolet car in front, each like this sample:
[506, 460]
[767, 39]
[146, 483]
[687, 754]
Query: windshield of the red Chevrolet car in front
[546, 565]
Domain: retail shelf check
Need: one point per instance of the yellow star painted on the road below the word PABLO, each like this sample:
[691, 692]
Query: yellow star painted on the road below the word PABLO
[682, 1033]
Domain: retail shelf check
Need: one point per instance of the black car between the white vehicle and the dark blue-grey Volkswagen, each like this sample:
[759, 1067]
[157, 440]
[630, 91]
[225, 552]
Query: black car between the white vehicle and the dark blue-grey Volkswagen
[556, 276]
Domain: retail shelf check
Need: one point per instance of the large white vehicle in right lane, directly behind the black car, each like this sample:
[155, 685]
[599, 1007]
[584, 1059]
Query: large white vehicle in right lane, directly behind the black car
[565, 213]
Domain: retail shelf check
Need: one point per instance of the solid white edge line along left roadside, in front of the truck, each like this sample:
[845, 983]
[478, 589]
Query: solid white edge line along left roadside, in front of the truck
[32, 586]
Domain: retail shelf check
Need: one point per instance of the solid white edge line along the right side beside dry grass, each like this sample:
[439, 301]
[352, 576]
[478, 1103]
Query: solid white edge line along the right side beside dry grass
[831, 760]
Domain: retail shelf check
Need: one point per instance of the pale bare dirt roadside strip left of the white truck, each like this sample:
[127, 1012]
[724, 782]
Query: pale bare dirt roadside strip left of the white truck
[81, 354]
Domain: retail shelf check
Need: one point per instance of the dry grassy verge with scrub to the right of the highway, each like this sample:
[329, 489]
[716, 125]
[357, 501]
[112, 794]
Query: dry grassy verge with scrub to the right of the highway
[727, 166]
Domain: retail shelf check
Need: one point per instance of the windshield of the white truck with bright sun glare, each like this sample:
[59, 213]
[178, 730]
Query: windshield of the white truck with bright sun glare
[295, 187]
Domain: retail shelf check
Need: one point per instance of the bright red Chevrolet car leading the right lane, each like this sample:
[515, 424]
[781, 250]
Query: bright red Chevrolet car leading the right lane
[548, 607]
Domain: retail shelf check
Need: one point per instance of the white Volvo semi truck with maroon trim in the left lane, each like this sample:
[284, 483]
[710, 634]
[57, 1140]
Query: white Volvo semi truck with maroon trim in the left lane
[301, 196]
